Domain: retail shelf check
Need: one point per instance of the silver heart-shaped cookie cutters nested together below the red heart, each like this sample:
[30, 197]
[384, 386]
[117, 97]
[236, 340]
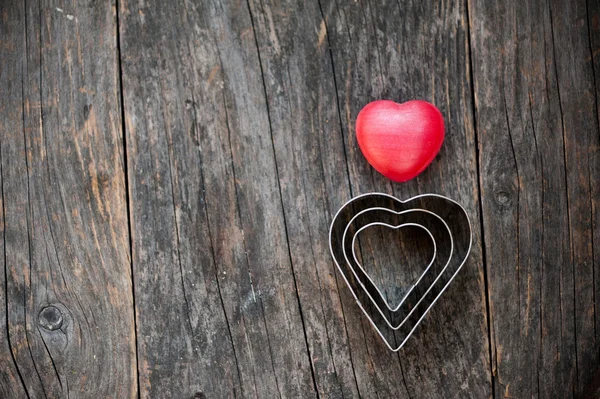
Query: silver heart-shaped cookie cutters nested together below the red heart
[416, 305]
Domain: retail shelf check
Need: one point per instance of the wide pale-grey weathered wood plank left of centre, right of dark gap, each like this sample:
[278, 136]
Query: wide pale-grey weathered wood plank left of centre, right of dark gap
[206, 208]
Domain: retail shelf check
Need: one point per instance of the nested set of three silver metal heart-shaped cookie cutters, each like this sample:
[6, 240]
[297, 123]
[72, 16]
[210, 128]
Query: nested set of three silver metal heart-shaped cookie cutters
[445, 223]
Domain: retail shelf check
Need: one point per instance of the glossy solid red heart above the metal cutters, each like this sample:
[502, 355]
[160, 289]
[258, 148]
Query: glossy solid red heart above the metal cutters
[400, 140]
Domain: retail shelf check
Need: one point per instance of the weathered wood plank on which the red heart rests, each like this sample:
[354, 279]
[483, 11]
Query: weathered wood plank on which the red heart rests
[405, 50]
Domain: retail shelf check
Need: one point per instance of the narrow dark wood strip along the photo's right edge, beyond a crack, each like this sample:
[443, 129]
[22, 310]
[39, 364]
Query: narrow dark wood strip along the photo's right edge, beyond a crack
[577, 96]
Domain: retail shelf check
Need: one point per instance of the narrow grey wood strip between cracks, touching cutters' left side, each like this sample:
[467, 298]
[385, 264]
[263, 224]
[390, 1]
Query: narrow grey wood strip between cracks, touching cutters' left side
[300, 89]
